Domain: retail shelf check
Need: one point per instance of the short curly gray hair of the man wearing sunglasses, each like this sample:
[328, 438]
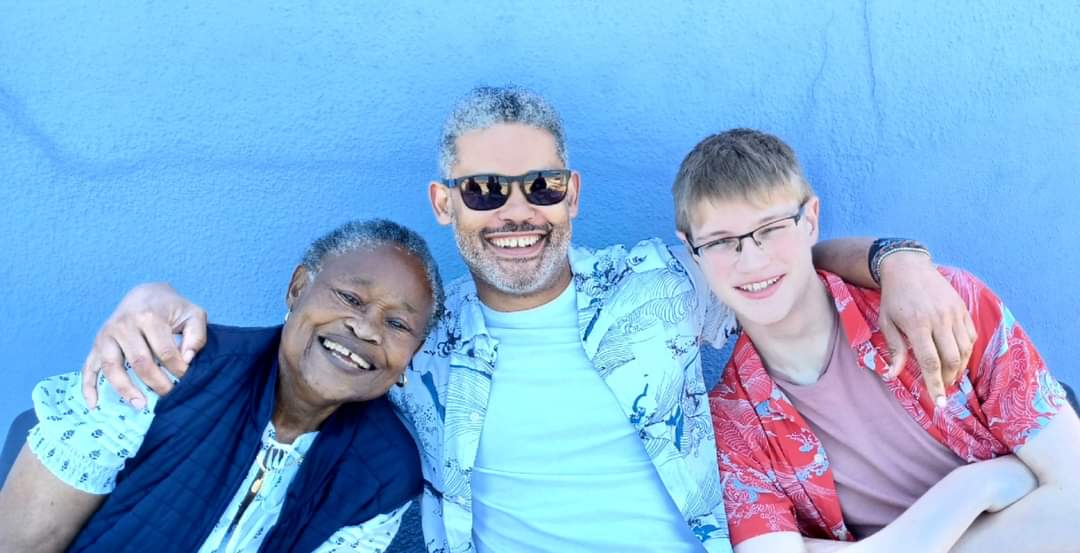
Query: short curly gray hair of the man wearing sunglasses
[487, 106]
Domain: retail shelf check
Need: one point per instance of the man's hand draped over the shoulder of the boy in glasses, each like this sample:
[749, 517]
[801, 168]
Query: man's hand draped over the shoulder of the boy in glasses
[920, 304]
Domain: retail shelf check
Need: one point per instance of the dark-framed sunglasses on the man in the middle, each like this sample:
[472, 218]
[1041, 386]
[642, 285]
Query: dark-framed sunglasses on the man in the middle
[484, 193]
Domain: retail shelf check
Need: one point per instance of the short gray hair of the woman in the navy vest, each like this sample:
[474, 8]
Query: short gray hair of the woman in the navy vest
[367, 235]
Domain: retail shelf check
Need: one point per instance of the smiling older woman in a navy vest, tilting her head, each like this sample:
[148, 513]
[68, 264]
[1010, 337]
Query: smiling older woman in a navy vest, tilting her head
[306, 455]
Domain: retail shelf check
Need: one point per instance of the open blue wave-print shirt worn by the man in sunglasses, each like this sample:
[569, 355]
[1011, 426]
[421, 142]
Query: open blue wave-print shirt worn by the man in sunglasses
[643, 314]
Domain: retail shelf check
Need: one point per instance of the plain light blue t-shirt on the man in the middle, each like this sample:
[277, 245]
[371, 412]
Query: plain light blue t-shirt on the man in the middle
[559, 467]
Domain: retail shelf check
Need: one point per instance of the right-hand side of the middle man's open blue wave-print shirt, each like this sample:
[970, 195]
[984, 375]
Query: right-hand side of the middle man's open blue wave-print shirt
[642, 320]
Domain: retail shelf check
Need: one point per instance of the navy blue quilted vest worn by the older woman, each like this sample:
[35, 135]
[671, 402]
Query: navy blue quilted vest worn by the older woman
[205, 438]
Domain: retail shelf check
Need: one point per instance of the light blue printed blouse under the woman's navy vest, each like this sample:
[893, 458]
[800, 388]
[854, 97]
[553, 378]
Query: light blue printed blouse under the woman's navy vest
[88, 449]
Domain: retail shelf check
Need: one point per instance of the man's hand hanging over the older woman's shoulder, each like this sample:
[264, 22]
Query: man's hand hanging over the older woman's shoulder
[141, 331]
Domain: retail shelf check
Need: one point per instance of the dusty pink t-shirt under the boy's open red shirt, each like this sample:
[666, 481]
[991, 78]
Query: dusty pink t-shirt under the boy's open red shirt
[883, 461]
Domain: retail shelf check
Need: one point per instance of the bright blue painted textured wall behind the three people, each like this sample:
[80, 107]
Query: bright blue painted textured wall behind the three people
[206, 144]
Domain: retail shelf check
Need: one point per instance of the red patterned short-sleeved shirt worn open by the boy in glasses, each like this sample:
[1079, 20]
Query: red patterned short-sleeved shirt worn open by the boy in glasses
[775, 473]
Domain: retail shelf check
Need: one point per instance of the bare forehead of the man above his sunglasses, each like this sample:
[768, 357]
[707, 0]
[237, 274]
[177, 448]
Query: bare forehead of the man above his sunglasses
[506, 150]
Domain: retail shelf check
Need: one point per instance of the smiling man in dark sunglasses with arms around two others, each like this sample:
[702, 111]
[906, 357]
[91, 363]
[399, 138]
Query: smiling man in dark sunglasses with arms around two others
[560, 406]
